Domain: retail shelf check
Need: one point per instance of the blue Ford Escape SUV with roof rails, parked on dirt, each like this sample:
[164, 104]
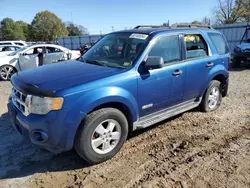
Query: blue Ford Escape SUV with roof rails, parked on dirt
[128, 80]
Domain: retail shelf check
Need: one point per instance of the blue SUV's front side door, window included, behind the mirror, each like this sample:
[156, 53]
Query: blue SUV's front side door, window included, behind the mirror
[162, 88]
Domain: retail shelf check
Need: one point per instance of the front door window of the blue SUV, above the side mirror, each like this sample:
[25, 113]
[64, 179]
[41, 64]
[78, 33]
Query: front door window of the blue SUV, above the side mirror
[167, 47]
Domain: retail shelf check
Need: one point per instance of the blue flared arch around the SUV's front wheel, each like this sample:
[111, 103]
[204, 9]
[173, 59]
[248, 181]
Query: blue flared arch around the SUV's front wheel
[97, 99]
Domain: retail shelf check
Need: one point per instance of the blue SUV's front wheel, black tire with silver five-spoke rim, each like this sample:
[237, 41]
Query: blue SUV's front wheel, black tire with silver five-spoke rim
[89, 133]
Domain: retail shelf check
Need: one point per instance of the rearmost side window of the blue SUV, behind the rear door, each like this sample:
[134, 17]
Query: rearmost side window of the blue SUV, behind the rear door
[219, 42]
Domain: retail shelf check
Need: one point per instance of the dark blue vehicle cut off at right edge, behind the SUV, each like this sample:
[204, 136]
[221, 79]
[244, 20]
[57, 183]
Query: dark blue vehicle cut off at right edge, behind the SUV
[241, 54]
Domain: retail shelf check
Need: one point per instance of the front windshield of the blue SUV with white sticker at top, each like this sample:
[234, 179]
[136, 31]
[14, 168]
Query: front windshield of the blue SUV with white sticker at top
[118, 50]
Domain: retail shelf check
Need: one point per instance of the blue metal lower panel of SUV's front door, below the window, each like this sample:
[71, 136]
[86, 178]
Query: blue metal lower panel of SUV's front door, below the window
[160, 89]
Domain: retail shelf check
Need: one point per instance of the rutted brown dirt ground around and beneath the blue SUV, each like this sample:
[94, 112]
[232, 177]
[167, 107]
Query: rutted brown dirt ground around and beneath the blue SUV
[192, 150]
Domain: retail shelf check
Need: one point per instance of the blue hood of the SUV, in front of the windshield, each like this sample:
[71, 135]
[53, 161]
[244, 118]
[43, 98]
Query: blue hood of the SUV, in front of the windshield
[65, 74]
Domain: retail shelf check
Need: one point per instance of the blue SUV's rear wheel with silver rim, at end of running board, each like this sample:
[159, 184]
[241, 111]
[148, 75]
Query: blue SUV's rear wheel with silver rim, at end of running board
[207, 100]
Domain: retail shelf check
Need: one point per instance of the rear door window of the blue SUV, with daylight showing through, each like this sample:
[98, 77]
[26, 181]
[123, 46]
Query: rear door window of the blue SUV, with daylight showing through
[195, 46]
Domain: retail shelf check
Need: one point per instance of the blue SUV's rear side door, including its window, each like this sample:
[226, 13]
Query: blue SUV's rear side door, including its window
[198, 64]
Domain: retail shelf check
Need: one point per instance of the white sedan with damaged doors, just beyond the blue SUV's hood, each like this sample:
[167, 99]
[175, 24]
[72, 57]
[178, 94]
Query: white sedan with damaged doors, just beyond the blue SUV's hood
[27, 58]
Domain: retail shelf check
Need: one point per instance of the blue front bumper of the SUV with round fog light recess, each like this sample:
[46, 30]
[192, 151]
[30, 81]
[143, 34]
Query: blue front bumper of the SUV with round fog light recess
[50, 131]
